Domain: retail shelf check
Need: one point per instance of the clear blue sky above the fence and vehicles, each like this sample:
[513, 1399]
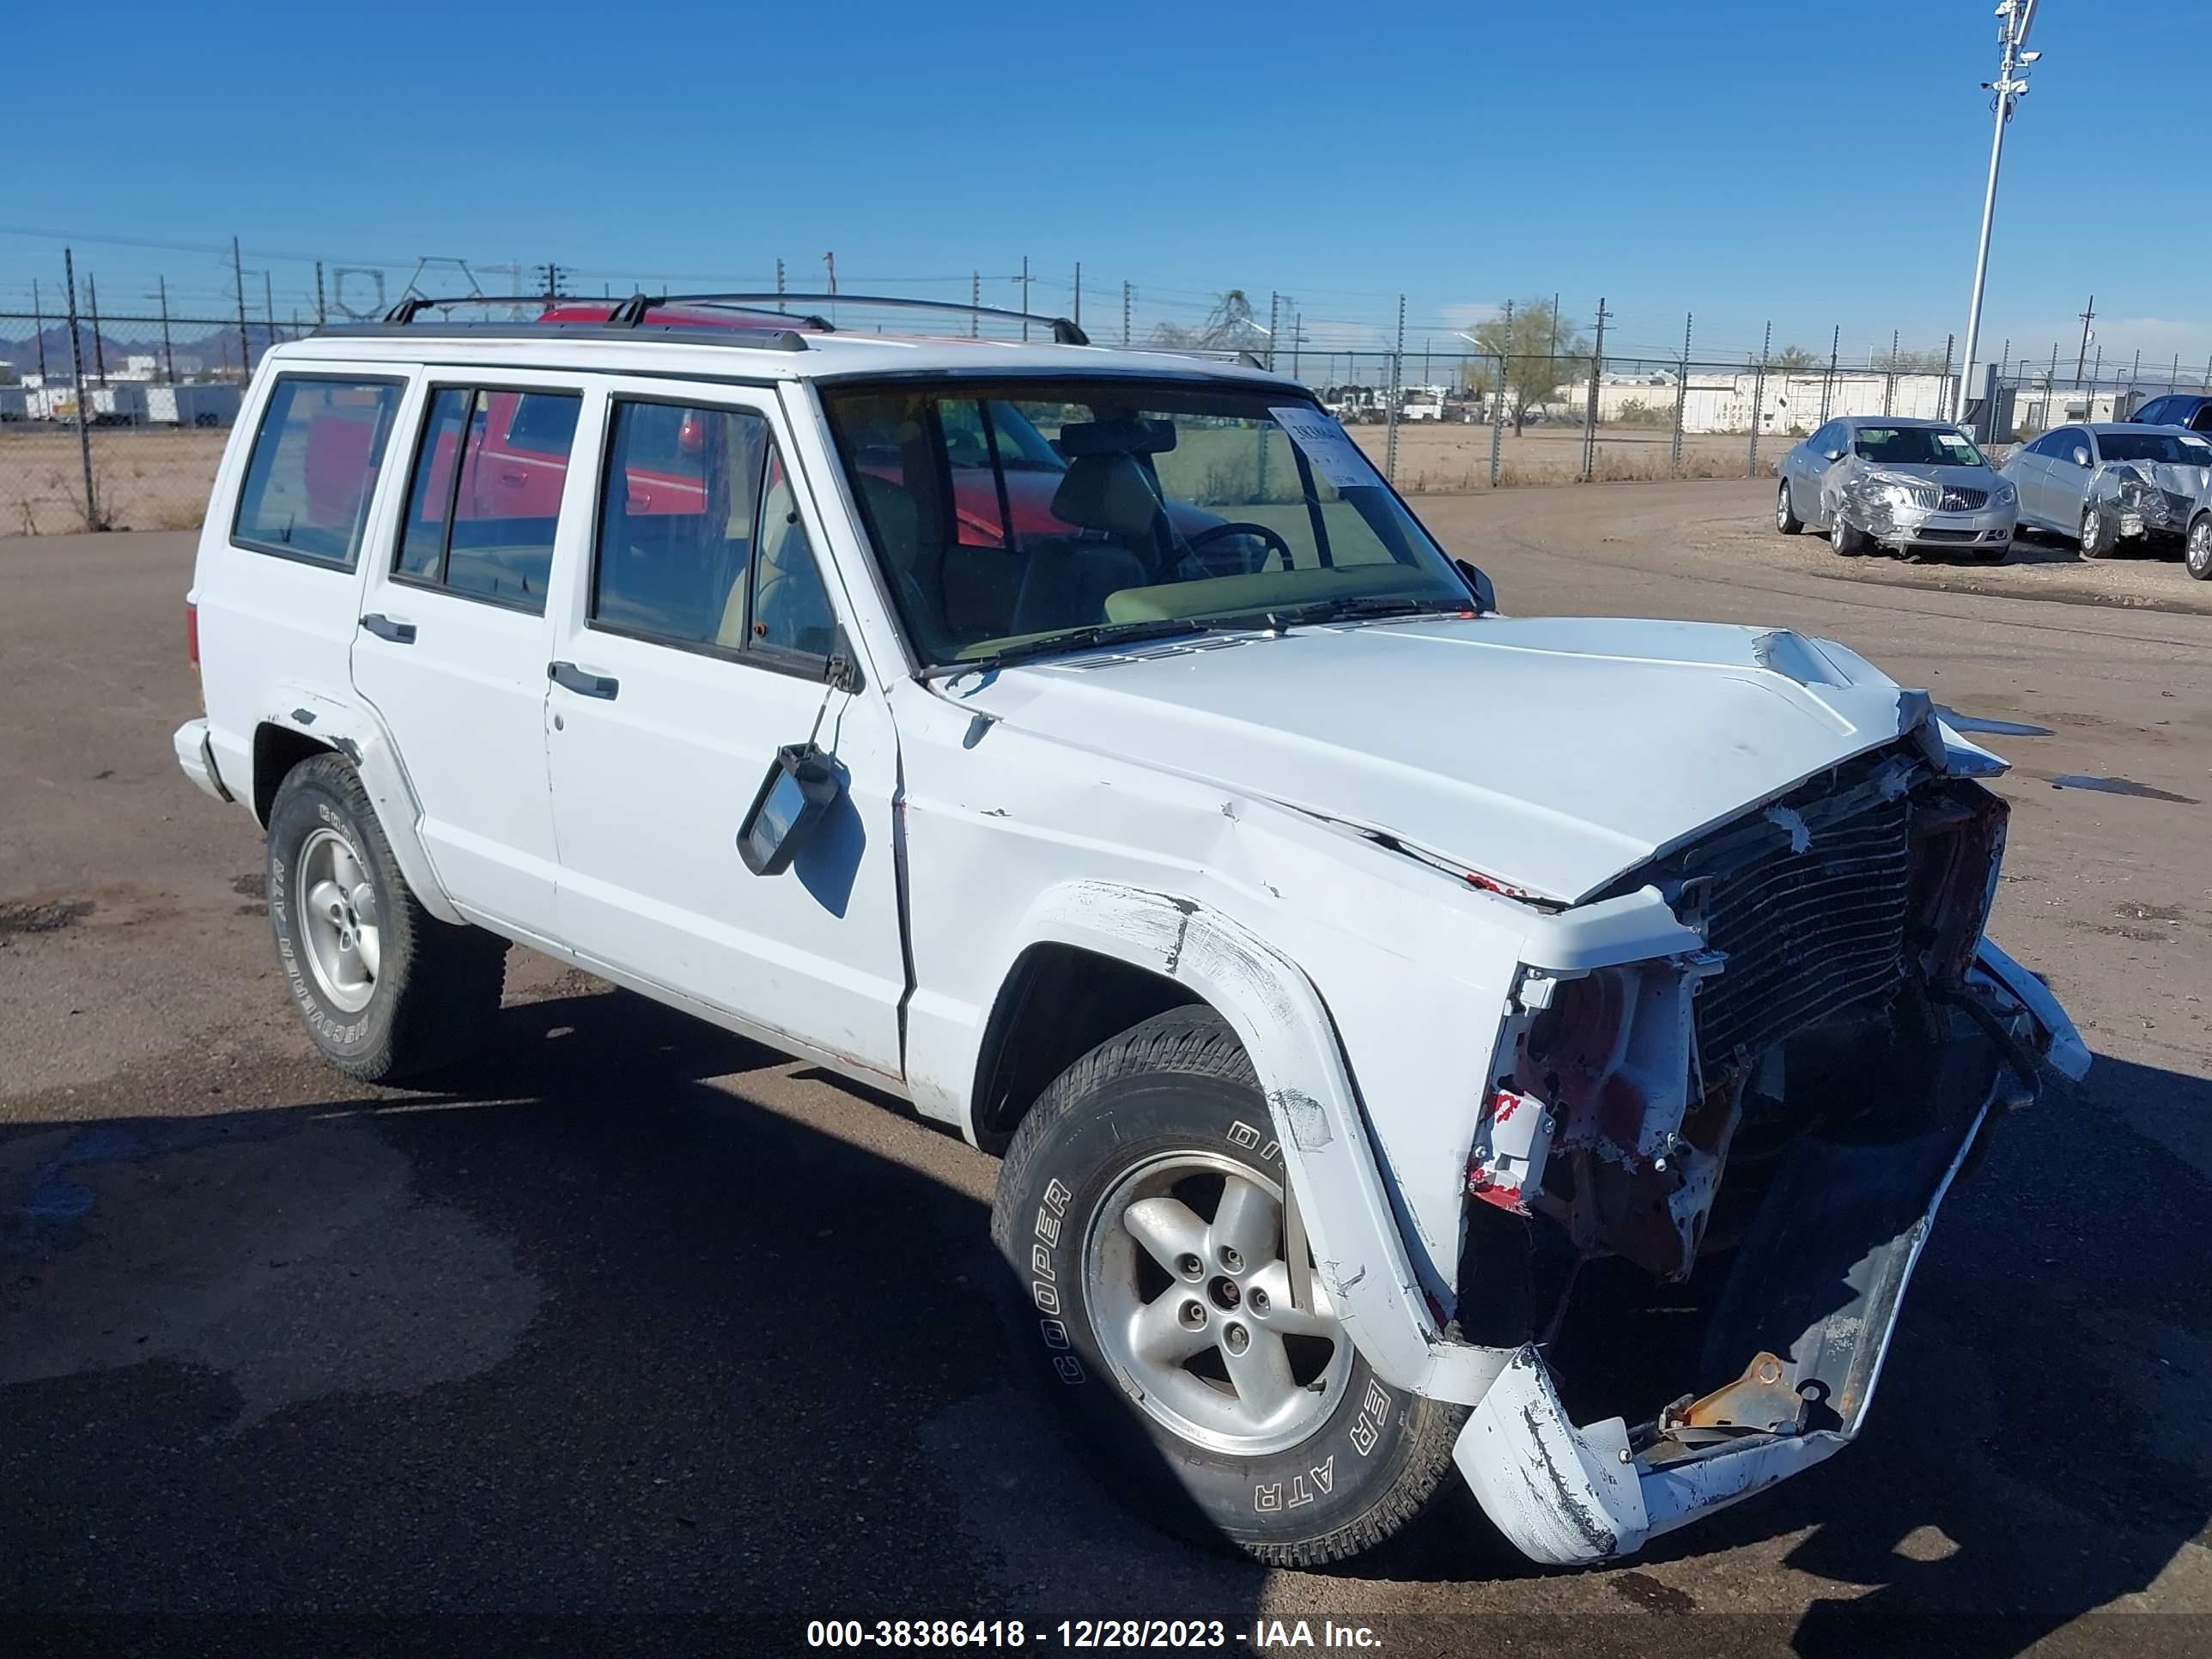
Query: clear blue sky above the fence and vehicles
[1749, 160]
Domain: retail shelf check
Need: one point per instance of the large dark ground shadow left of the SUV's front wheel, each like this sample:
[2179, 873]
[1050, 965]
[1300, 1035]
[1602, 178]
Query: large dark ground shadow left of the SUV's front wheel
[574, 1333]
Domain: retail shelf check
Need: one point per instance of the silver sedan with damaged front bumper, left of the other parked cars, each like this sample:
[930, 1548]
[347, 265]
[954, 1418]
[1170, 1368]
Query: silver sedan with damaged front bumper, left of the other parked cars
[1892, 481]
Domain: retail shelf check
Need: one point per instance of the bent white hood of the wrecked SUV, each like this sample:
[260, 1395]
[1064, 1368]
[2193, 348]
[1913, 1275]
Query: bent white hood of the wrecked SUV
[1552, 753]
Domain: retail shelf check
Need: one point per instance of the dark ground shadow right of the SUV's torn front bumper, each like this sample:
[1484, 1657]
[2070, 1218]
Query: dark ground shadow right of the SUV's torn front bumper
[2036, 1443]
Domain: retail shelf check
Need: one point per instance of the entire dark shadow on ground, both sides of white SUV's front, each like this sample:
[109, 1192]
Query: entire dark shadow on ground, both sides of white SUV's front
[585, 1333]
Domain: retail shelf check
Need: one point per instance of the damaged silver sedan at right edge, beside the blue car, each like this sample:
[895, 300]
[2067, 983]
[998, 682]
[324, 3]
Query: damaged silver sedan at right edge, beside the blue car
[2103, 483]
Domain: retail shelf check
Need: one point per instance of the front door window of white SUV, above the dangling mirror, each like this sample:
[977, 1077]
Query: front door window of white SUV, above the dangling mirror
[700, 539]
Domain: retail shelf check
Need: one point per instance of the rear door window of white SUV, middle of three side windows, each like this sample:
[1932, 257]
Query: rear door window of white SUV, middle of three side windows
[481, 505]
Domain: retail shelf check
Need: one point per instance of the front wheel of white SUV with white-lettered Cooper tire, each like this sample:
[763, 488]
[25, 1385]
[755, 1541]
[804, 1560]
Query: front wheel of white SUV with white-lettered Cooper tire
[1171, 1116]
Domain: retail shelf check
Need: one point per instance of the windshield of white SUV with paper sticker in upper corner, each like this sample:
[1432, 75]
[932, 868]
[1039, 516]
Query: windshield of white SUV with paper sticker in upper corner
[1012, 517]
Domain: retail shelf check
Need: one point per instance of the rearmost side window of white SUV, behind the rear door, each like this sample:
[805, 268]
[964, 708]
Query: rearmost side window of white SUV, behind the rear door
[313, 468]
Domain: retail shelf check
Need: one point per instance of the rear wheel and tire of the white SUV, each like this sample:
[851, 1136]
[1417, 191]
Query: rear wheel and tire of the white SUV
[404, 992]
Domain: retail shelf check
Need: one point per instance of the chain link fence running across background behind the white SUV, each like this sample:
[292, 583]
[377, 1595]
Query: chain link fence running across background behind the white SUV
[121, 421]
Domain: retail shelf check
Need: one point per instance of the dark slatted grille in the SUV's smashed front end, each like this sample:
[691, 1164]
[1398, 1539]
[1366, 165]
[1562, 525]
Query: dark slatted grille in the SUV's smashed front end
[1806, 932]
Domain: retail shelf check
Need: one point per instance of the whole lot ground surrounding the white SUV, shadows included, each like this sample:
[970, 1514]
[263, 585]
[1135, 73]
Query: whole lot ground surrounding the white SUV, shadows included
[647, 1339]
